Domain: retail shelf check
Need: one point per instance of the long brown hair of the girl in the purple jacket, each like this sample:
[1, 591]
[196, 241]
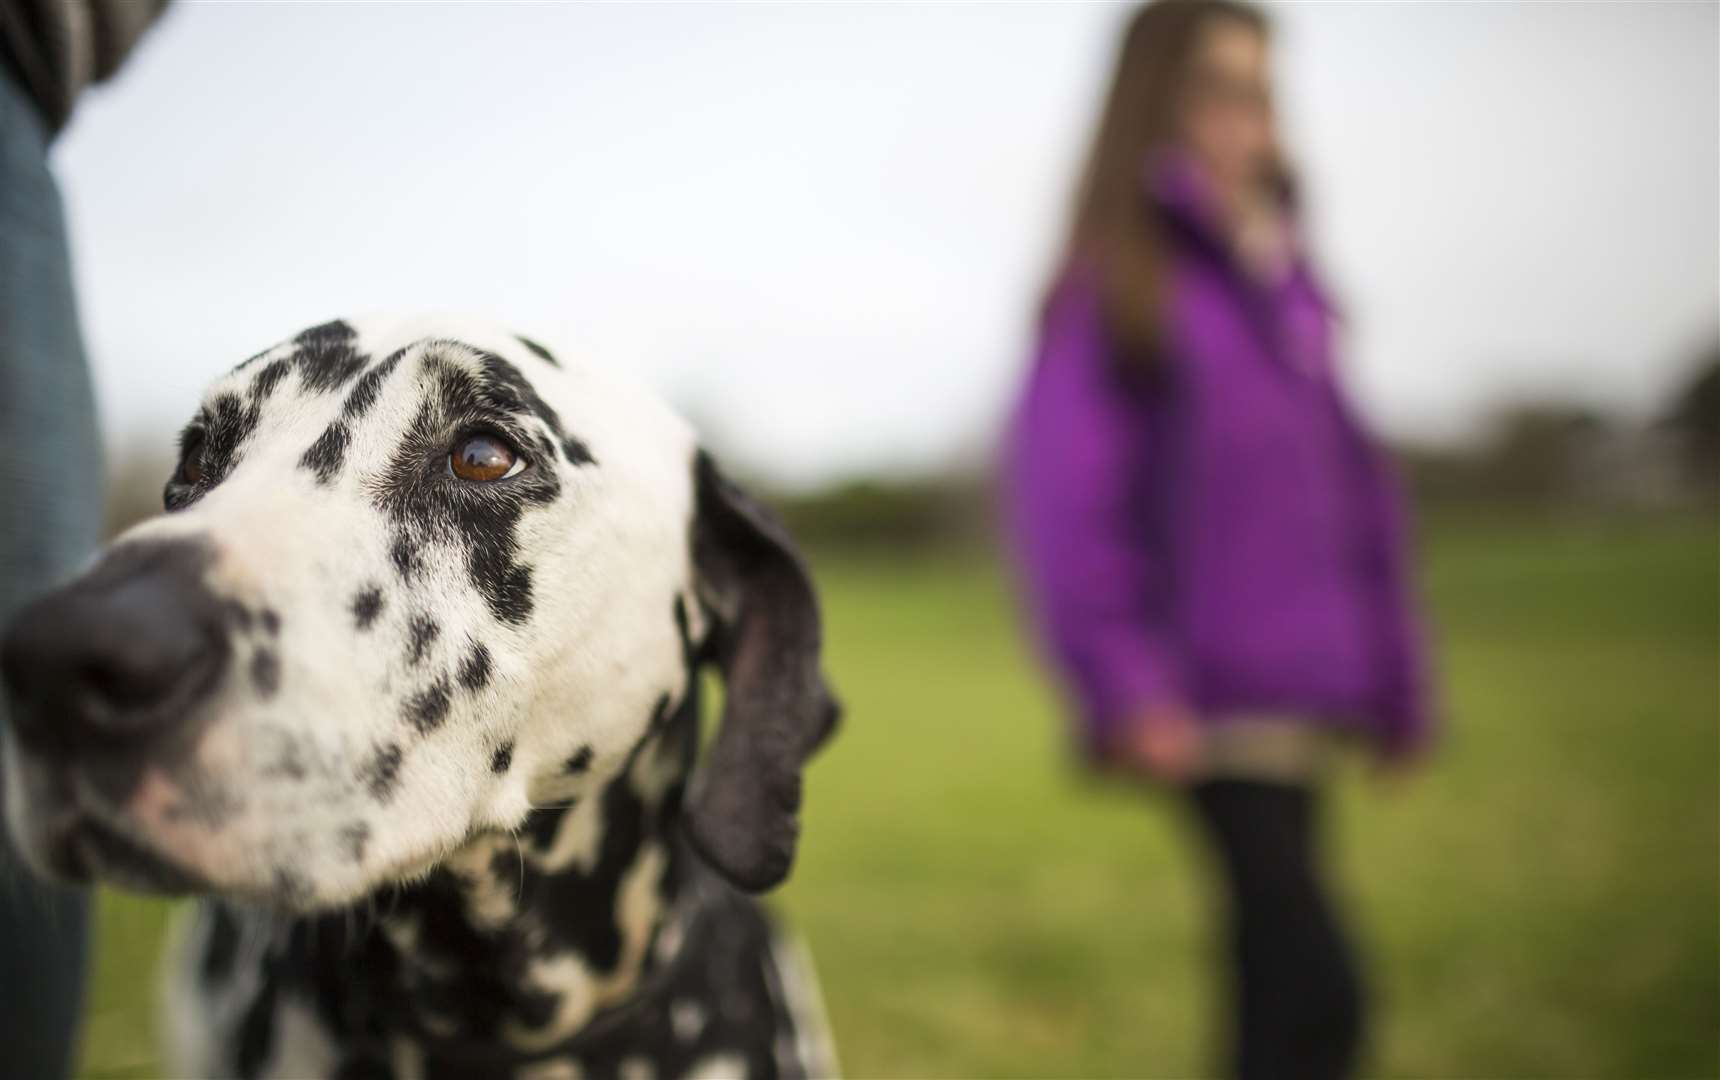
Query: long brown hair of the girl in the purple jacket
[1115, 228]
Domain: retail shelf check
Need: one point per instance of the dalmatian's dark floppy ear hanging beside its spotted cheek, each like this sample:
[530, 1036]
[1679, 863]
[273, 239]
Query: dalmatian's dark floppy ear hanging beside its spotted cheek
[777, 709]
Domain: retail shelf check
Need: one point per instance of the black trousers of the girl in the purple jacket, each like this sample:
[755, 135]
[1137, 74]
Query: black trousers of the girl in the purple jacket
[1298, 1000]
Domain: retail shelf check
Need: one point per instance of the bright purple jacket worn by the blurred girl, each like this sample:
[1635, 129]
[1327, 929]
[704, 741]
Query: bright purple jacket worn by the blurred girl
[1224, 536]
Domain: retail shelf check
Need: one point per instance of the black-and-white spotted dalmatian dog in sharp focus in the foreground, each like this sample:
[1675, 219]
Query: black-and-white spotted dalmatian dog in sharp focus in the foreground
[405, 687]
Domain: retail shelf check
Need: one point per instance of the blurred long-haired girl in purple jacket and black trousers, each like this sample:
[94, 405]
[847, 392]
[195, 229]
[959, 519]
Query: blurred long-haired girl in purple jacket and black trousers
[1212, 546]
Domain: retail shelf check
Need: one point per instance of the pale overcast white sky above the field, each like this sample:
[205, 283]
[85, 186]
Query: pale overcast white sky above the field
[821, 230]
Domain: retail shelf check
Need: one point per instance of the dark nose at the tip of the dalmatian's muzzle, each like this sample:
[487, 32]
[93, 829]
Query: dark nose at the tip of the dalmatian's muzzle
[120, 654]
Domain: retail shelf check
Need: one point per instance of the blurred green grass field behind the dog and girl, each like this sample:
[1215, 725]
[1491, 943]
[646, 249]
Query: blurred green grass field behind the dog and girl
[1542, 902]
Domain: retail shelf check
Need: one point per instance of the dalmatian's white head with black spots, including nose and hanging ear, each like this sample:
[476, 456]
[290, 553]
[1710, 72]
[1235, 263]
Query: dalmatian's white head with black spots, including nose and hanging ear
[414, 580]
